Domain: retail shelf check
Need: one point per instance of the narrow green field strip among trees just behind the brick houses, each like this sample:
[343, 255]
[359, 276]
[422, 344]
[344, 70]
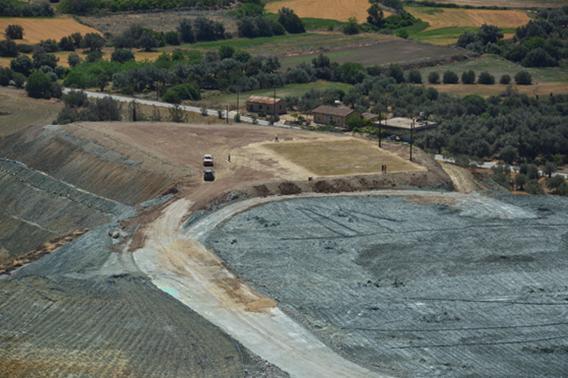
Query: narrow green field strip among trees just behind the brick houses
[296, 90]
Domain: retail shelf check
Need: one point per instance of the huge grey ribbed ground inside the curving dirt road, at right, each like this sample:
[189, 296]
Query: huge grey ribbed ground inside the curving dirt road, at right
[448, 285]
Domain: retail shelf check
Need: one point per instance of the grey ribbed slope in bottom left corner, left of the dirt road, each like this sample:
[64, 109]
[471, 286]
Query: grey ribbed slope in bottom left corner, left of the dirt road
[86, 310]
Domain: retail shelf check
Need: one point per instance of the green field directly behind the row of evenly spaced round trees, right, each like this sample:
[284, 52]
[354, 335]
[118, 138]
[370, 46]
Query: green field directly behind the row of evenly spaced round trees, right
[498, 66]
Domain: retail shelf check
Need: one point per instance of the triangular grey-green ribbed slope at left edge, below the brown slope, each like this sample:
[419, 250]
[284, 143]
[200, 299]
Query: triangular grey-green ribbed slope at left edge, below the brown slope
[37, 208]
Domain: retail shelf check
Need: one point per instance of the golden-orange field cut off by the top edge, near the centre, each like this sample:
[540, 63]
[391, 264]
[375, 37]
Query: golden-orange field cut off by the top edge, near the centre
[339, 10]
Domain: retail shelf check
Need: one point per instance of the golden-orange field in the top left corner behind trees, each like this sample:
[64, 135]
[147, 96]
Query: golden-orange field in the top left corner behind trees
[37, 29]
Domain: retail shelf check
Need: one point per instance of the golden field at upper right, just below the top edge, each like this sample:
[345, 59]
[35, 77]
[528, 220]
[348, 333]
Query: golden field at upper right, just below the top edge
[456, 17]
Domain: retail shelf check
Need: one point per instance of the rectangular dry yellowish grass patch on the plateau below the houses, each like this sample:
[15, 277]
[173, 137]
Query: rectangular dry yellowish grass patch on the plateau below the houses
[341, 157]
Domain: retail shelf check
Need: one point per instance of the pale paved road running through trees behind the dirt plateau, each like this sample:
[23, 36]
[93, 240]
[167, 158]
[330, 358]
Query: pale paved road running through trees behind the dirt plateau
[187, 108]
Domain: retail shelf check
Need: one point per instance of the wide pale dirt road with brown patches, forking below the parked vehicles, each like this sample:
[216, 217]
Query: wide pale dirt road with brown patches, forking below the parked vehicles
[181, 266]
